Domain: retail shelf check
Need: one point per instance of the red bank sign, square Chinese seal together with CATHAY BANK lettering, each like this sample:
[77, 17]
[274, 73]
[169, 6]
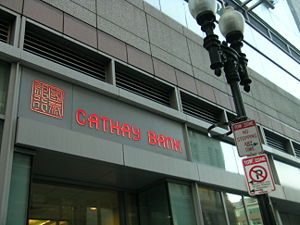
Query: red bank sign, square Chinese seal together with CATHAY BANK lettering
[49, 100]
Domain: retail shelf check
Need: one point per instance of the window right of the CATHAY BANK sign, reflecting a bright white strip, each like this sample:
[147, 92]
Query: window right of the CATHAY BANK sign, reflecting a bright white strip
[212, 152]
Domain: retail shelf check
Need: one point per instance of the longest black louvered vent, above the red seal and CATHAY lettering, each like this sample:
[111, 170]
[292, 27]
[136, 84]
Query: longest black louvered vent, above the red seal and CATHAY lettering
[64, 52]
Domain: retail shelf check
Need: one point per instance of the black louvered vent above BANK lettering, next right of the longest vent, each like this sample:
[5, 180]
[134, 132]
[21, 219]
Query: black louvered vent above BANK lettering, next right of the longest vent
[143, 85]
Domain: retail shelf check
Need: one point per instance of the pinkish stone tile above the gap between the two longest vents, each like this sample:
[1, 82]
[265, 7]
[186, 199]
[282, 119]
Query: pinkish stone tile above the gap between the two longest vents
[112, 46]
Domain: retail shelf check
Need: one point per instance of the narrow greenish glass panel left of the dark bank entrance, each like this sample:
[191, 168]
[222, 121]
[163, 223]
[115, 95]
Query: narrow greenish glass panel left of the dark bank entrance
[19, 190]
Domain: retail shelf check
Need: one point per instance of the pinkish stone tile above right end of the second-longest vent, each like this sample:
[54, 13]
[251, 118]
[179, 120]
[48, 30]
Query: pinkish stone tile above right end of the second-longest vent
[164, 71]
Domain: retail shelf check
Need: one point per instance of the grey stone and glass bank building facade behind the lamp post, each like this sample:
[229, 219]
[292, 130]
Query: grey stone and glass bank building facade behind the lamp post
[104, 110]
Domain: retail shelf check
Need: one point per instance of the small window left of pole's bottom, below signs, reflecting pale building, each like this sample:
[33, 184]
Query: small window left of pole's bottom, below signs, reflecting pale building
[235, 209]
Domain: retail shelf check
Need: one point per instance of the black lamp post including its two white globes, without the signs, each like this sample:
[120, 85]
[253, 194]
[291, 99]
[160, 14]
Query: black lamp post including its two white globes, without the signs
[229, 57]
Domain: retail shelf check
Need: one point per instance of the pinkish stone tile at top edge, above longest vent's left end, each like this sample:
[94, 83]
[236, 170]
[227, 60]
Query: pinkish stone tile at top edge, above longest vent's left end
[44, 14]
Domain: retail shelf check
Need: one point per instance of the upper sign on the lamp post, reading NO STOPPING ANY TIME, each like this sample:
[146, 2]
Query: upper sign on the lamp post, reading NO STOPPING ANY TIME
[246, 138]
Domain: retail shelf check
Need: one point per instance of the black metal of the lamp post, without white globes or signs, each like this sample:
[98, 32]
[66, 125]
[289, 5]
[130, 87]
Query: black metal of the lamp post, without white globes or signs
[234, 63]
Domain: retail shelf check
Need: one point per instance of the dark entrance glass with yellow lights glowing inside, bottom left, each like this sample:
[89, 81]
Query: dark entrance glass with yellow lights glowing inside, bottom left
[69, 205]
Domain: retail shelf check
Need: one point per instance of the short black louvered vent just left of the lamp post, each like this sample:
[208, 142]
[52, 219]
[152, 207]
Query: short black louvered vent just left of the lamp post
[200, 109]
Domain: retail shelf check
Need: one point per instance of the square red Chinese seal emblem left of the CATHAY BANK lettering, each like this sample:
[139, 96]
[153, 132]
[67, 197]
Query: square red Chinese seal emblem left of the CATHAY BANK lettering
[47, 99]
